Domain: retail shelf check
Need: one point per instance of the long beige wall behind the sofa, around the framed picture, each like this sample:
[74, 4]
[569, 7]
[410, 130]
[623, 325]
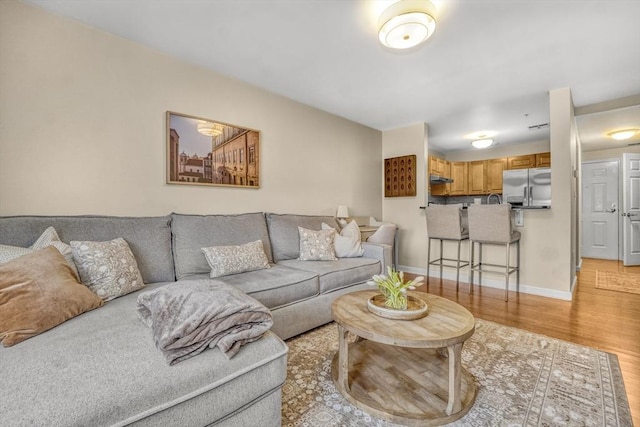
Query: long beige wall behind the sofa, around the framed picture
[82, 131]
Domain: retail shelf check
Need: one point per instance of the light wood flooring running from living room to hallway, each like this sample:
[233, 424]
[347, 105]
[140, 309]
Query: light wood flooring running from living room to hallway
[602, 319]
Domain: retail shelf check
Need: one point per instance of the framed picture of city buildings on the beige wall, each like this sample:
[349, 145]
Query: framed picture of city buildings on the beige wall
[208, 152]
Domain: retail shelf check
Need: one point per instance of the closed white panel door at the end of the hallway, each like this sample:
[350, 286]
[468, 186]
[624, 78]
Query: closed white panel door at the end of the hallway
[600, 209]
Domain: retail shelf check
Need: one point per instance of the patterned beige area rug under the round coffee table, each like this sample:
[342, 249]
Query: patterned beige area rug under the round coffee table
[523, 379]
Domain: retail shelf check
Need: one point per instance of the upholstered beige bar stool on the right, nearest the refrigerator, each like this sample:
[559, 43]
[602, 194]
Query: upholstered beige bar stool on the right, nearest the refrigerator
[491, 225]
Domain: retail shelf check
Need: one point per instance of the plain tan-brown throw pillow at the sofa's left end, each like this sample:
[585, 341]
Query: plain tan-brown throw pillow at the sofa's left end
[37, 292]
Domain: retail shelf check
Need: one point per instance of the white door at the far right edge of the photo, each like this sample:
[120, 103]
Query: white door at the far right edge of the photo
[631, 208]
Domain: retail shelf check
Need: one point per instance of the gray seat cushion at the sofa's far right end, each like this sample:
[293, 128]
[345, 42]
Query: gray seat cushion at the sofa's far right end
[338, 274]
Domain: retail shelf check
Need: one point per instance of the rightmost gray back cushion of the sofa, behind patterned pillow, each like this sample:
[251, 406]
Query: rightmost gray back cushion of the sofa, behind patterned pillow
[283, 232]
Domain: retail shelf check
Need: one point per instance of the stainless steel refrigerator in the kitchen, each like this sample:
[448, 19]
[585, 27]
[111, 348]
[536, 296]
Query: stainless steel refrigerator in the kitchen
[527, 188]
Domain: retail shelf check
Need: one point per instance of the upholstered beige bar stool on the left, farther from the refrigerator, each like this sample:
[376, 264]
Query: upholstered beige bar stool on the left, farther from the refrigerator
[445, 223]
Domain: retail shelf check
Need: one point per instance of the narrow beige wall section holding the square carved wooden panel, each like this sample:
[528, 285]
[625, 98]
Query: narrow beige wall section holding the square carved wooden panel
[405, 212]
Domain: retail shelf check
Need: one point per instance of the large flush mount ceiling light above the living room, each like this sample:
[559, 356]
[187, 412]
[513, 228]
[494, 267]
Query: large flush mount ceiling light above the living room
[407, 23]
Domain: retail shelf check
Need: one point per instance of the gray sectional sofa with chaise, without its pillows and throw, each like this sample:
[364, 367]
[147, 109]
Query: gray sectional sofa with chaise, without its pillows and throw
[102, 369]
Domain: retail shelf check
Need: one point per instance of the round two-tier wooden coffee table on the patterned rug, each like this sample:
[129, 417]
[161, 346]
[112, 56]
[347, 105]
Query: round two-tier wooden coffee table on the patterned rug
[401, 371]
